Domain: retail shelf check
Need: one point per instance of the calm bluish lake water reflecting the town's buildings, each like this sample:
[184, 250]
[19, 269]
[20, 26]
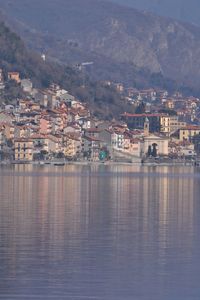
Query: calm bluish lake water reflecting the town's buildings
[110, 233]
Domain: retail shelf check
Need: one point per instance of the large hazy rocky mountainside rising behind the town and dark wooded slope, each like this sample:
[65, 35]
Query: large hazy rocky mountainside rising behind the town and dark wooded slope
[122, 42]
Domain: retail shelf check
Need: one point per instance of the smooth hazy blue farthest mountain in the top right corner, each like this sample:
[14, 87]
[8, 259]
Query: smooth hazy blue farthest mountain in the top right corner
[184, 10]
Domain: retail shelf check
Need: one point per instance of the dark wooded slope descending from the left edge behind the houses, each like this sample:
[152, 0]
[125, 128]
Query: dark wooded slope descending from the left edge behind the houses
[104, 101]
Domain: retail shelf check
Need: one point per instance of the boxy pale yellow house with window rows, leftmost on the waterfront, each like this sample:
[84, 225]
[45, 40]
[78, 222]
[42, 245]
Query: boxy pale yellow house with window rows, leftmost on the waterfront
[23, 149]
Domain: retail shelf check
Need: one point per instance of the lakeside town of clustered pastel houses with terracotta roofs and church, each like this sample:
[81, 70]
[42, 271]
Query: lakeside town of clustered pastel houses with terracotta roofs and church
[51, 125]
